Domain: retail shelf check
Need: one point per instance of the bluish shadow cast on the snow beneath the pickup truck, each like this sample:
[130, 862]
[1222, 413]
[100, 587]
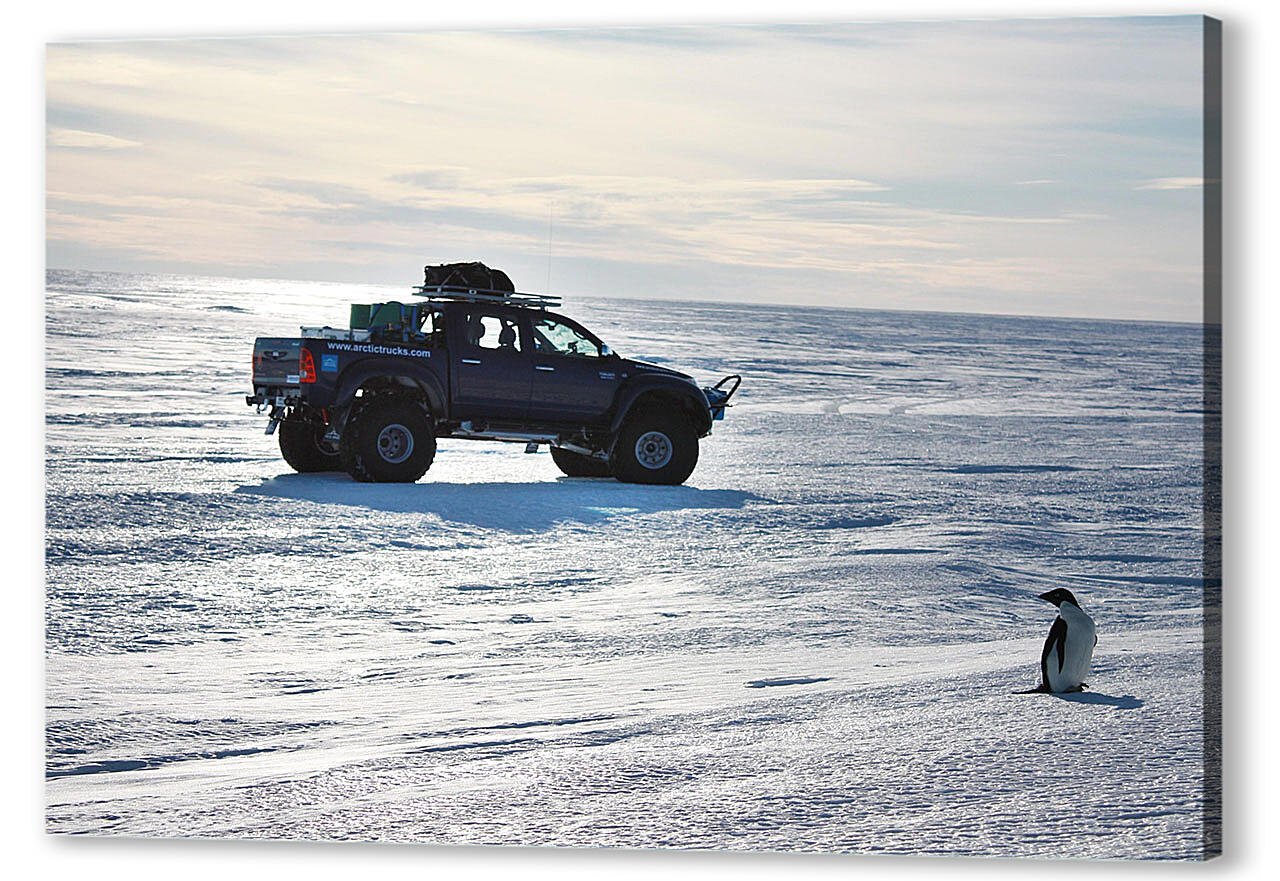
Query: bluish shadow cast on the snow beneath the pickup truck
[514, 508]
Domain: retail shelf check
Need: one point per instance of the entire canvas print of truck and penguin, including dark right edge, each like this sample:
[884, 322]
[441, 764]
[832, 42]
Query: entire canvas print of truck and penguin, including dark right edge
[789, 439]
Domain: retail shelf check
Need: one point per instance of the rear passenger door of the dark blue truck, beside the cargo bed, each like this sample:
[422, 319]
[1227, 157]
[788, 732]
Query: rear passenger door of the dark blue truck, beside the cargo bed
[490, 363]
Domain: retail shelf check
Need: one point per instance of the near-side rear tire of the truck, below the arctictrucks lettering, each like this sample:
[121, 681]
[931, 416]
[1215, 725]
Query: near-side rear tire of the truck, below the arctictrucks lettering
[390, 441]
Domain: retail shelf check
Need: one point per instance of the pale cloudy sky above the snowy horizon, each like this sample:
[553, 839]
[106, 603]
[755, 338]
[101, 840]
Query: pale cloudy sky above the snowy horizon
[1018, 167]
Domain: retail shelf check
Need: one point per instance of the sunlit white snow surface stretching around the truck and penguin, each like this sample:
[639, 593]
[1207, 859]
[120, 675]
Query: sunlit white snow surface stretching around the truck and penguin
[812, 646]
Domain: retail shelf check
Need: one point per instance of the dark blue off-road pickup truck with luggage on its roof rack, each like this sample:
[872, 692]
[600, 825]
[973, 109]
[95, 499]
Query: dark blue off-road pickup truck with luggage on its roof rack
[479, 363]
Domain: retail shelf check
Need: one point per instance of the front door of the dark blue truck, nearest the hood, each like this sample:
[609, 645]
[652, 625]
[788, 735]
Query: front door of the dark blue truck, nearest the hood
[573, 382]
